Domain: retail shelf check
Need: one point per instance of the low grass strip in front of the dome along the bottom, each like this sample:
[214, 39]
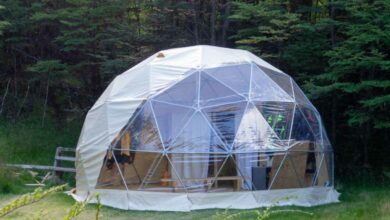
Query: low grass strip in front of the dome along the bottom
[356, 203]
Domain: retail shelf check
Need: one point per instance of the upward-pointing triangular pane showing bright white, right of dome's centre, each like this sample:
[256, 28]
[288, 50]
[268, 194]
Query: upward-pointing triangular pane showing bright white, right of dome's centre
[254, 133]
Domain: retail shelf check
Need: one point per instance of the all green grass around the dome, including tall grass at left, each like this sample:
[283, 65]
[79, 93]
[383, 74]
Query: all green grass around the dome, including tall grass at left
[357, 202]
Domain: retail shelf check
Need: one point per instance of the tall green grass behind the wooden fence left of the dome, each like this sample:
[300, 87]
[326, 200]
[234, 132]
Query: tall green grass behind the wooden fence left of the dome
[28, 142]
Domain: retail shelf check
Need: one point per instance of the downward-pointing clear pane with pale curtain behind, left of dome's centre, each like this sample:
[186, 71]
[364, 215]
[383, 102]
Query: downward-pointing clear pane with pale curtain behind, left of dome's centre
[171, 119]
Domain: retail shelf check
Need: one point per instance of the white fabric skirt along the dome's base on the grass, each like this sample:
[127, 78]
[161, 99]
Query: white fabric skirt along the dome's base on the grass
[166, 201]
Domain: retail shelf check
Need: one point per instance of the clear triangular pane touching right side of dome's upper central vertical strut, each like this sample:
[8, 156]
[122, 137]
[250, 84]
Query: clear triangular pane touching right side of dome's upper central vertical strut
[213, 92]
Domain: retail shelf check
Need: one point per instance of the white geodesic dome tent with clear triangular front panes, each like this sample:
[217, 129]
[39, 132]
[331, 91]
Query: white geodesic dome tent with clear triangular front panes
[204, 127]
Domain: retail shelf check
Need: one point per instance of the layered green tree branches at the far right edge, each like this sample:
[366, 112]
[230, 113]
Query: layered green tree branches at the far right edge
[360, 63]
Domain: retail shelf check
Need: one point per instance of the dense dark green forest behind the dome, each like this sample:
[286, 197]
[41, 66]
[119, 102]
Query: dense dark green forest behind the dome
[58, 56]
